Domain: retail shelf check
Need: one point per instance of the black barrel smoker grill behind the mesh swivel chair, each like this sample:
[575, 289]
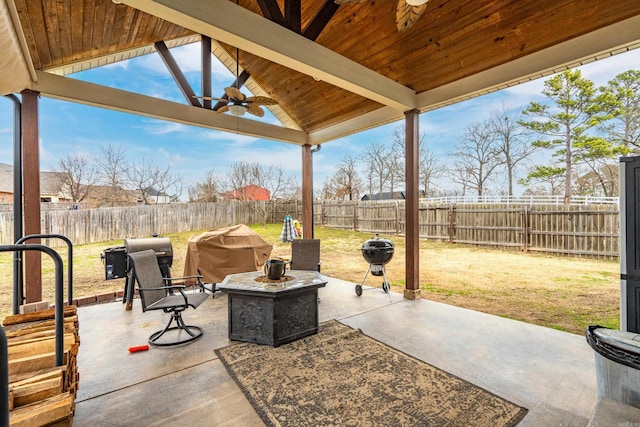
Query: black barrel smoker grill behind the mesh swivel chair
[117, 267]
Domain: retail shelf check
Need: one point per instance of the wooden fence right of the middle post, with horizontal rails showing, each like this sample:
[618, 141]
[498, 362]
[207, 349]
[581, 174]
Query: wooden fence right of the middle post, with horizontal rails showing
[583, 230]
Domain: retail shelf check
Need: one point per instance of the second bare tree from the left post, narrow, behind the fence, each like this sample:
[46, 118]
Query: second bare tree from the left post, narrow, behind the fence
[111, 167]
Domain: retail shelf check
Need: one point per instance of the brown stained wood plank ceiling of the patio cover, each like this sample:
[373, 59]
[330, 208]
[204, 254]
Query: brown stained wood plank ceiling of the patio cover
[454, 39]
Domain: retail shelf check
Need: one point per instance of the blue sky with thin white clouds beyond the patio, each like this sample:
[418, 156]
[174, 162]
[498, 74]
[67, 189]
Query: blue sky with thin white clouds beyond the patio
[67, 127]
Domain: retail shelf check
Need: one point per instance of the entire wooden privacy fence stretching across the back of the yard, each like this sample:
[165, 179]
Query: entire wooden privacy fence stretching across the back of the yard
[583, 230]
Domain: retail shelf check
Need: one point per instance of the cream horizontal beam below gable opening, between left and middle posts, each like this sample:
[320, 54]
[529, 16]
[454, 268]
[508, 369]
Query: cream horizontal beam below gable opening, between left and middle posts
[73, 90]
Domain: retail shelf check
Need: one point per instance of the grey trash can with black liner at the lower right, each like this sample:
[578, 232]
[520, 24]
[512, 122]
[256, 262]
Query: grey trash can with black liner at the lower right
[617, 364]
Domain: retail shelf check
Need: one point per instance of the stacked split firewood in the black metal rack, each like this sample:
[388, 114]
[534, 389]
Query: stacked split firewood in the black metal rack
[41, 393]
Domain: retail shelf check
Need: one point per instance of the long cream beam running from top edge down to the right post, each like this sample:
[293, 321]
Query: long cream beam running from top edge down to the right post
[234, 25]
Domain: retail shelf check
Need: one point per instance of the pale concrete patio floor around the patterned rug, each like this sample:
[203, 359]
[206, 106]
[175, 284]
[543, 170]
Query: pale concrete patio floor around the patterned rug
[551, 373]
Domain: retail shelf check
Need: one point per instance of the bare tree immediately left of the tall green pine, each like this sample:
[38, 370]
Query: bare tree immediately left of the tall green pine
[513, 141]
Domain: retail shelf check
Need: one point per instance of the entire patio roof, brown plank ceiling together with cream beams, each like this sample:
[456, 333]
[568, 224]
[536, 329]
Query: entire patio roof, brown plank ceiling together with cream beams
[334, 69]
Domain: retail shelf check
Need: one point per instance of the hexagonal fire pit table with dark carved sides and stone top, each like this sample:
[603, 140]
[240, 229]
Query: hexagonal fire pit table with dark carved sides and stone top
[272, 313]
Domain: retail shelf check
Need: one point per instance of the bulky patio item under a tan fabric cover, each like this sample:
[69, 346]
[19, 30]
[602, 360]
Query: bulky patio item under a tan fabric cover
[229, 250]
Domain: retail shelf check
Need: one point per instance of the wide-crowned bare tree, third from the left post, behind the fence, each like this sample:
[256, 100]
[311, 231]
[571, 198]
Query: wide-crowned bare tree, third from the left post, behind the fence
[151, 183]
